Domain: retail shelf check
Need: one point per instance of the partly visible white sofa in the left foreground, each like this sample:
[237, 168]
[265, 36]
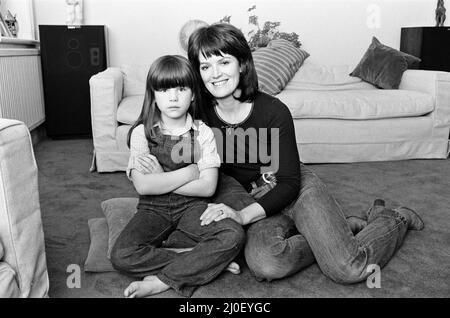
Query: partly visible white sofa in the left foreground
[23, 269]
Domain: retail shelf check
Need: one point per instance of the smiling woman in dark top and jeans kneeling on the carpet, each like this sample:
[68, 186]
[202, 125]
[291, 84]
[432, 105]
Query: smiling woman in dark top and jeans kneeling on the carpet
[297, 221]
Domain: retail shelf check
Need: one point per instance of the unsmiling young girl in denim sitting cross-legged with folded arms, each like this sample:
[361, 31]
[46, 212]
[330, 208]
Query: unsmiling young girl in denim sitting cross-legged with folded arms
[183, 163]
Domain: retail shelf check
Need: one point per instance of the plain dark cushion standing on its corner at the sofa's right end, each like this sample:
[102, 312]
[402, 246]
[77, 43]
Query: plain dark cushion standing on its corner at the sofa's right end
[383, 66]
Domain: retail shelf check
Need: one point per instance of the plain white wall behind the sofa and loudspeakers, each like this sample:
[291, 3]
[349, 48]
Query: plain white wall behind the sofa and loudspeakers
[332, 31]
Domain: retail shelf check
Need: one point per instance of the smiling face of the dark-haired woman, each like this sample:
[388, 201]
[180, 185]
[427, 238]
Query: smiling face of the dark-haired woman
[220, 74]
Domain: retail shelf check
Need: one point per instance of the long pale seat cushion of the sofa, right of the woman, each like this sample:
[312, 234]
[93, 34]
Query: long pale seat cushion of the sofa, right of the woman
[356, 104]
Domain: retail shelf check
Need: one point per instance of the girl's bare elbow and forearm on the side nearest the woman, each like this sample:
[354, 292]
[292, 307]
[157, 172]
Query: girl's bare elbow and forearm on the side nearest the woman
[204, 186]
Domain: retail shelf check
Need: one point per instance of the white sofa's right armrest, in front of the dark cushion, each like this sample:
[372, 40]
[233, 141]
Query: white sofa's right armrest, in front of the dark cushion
[435, 83]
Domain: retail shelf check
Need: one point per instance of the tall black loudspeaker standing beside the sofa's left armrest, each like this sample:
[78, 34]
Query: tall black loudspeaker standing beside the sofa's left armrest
[70, 56]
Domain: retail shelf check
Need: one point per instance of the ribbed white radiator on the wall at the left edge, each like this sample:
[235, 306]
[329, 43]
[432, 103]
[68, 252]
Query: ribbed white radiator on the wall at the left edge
[21, 89]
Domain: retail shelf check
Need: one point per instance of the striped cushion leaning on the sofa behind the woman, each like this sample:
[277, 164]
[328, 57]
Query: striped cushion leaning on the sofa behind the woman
[276, 64]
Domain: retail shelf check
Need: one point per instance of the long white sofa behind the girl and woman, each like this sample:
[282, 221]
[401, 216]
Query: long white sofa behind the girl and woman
[337, 118]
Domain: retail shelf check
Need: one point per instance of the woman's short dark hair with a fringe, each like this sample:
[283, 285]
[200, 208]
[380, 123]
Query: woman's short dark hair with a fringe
[218, 39]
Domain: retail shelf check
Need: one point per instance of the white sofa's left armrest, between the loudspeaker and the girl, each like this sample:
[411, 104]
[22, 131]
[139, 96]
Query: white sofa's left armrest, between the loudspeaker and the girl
[106, 89]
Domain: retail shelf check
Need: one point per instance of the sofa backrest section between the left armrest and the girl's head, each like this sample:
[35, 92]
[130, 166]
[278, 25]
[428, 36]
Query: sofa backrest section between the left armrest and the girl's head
[134, 78]
